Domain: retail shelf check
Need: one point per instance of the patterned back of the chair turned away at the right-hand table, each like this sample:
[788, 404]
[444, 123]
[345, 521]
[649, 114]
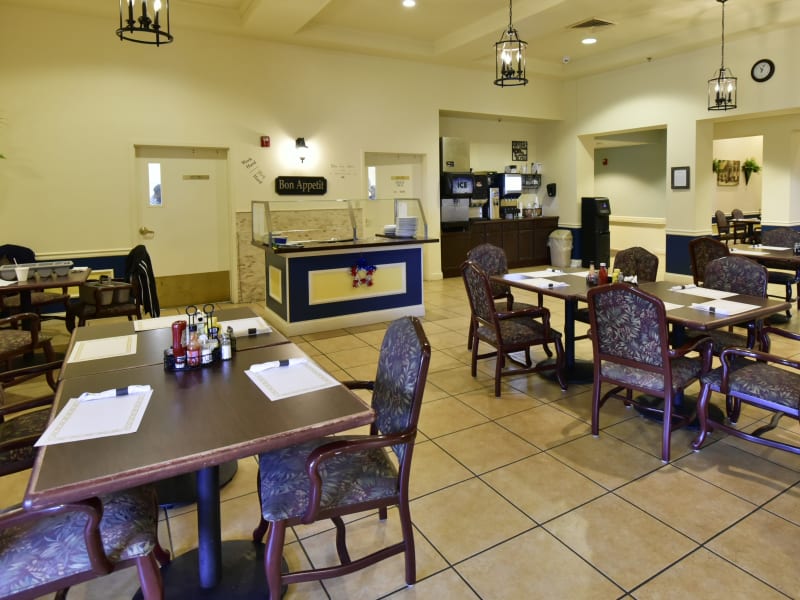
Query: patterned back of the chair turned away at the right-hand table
[629, 327]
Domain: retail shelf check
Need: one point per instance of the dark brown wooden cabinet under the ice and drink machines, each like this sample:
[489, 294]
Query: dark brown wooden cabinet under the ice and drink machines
[523, 240]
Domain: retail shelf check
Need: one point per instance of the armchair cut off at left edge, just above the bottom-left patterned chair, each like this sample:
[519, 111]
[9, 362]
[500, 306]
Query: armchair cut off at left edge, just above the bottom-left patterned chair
[23, 421]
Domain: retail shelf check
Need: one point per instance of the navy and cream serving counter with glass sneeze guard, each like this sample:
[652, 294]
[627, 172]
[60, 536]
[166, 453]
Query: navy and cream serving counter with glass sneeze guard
[330, 264]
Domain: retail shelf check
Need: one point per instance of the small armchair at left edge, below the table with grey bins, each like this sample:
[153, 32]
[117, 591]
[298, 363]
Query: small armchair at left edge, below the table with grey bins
[18, 342]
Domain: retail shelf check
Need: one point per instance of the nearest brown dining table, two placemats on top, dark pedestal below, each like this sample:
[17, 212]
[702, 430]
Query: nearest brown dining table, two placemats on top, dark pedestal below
[195, 420]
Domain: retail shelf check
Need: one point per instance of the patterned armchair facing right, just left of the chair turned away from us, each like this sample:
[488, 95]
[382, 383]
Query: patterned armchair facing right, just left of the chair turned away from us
[508, 331]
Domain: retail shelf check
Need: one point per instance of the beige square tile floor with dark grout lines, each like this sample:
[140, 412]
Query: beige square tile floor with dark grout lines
[514, 498]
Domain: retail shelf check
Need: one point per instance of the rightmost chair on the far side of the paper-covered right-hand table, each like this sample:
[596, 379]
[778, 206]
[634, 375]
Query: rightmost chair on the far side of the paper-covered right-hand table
[740, 275]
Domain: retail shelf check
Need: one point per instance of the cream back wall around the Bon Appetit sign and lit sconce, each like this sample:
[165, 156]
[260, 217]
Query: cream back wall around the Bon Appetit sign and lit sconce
[74, 103]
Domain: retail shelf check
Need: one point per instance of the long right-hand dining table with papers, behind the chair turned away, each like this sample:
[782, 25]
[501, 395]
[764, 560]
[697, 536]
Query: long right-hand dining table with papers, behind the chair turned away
[570, 285]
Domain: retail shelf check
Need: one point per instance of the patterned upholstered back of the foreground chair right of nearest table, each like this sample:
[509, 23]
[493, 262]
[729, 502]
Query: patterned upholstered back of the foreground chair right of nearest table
[400, 379]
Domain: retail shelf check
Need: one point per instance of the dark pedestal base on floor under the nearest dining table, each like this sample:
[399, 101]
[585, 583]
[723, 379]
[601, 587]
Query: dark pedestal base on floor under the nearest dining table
[243, 575]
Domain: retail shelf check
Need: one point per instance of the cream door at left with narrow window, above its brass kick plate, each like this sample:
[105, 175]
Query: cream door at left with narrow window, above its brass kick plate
[186, 230]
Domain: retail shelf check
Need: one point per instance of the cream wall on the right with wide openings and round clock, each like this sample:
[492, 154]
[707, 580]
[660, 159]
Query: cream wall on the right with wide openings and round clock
[671, 93]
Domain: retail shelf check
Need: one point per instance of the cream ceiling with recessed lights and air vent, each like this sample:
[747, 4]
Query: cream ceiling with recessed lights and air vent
[463, 32]
